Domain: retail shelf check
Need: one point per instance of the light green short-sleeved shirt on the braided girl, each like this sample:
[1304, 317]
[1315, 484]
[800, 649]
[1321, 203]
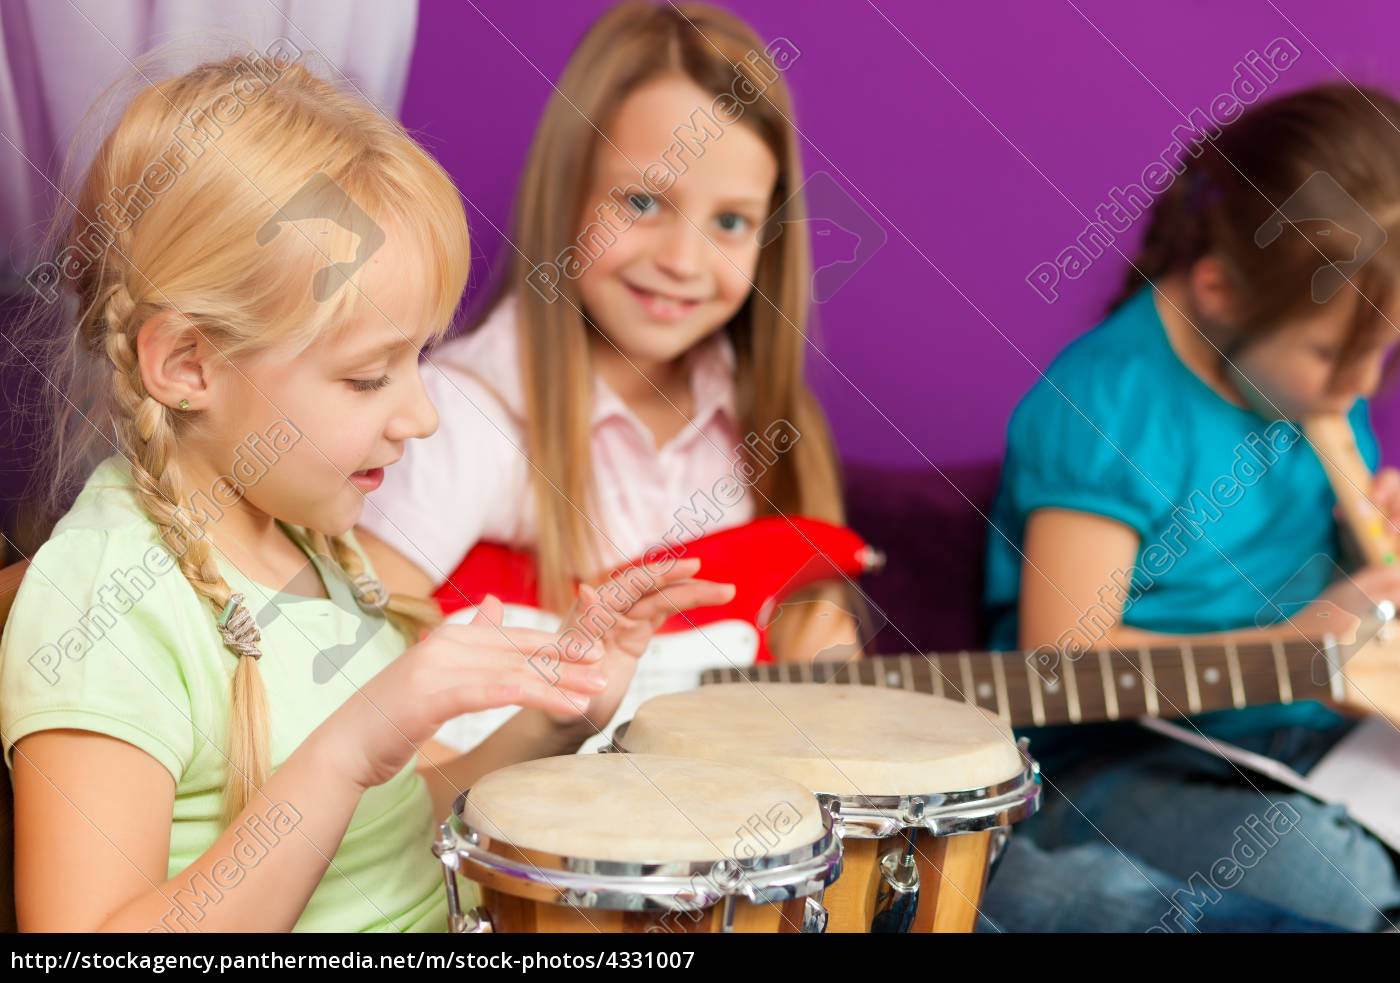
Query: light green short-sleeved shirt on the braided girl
[108, 636]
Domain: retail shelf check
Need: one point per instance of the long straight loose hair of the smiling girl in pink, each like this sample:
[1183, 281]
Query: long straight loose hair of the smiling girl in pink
[629, 46]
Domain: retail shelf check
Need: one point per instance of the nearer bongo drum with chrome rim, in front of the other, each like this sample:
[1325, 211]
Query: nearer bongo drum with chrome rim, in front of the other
[625, 844]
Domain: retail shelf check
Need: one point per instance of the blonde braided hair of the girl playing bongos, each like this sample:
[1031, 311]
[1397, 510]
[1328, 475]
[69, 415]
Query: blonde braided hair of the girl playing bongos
[192, 256]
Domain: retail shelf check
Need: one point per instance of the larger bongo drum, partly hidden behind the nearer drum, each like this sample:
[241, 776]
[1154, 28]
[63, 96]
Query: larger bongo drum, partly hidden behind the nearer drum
[922, 789]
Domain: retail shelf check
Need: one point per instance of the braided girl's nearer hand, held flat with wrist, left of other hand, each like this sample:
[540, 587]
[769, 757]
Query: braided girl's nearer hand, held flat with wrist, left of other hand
[456, 670]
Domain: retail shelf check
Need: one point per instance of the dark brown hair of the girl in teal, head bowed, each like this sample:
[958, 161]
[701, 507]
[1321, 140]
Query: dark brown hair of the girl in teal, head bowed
[1245, 184]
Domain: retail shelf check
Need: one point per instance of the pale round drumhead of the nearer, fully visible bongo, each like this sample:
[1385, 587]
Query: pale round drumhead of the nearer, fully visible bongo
[642, 809]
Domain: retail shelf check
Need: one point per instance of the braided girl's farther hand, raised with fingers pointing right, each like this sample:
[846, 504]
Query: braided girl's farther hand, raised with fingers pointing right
[622, 615]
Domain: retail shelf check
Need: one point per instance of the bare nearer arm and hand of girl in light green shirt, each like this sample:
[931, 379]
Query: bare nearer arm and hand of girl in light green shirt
[93, 814]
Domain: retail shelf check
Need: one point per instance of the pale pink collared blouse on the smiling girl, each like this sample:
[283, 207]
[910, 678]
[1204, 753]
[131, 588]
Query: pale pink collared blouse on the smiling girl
[468, 482]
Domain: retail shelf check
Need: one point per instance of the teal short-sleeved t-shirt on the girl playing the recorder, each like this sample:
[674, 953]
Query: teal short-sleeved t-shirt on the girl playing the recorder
[1234, 510]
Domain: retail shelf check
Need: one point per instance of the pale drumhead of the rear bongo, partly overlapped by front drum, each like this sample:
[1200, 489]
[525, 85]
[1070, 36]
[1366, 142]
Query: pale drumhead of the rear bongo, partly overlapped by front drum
[836, 740]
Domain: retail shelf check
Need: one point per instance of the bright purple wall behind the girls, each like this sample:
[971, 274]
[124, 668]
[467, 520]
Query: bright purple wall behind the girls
[982, 145]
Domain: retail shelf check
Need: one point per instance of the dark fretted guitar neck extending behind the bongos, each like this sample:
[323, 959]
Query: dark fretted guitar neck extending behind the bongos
[1027, 690]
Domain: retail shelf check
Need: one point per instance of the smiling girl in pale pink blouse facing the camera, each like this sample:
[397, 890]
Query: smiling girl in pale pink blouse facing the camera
[649, 334]
